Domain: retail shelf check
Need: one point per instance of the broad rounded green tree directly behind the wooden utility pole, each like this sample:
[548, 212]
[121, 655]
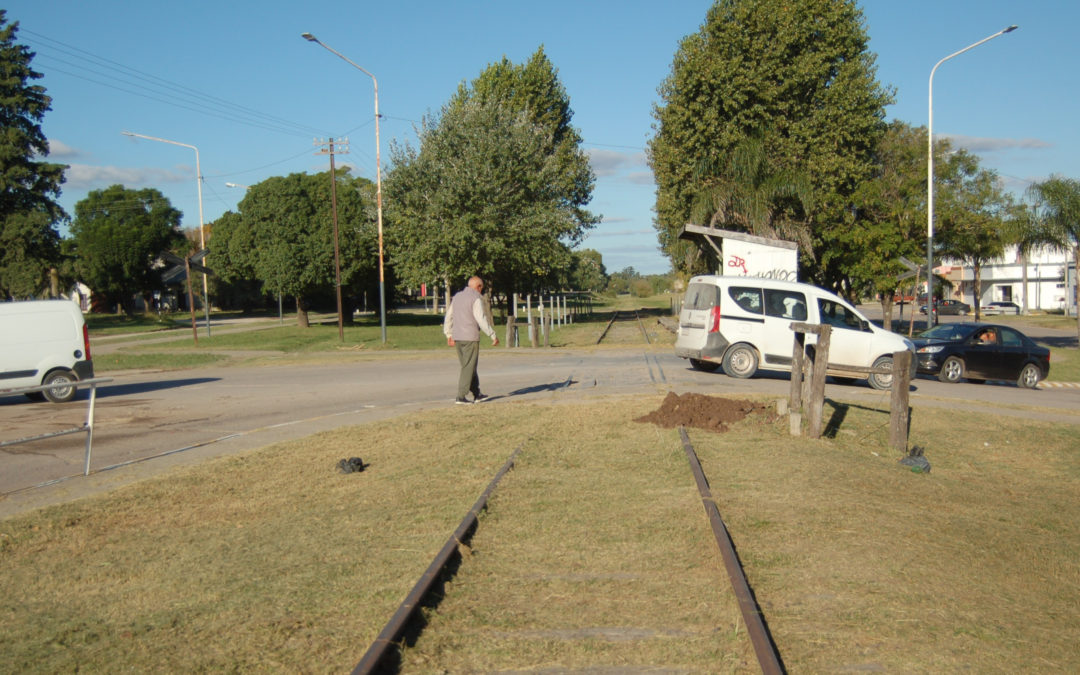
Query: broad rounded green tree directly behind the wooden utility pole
[285, 238]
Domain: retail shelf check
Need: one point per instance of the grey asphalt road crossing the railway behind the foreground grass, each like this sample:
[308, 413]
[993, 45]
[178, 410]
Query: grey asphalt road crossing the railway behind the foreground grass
[147, 422]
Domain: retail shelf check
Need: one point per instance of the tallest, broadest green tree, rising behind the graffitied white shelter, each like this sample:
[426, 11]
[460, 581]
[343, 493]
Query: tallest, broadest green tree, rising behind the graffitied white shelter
[801, 79]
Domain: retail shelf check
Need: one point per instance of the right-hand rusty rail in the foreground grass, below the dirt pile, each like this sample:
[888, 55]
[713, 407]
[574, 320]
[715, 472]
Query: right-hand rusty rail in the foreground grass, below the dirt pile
[768, 657]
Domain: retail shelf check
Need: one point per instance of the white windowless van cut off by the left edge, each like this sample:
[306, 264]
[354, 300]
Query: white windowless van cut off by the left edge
[44, 343]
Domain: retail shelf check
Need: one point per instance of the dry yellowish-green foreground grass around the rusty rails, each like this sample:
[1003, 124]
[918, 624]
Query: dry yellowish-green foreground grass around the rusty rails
[595, 552]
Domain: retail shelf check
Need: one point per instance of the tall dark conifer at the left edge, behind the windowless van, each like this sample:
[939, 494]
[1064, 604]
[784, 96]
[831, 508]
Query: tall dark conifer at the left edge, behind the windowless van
[30, 241]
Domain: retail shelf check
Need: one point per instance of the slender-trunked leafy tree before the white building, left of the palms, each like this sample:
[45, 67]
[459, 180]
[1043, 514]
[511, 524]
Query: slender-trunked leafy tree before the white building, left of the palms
[971, 211]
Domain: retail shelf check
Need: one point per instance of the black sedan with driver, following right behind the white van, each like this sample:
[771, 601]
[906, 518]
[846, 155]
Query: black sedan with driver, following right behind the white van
[981, 353]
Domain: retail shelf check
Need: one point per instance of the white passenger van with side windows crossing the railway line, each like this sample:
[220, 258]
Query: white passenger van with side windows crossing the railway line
[742, 325]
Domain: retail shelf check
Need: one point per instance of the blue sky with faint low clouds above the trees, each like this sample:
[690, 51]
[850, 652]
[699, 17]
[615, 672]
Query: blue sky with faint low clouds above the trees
[237, 82]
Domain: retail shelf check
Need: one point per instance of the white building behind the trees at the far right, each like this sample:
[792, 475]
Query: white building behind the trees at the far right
[1051, 277]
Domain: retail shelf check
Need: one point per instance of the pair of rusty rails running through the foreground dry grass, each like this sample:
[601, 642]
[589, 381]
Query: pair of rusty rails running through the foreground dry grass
[384, 654]
